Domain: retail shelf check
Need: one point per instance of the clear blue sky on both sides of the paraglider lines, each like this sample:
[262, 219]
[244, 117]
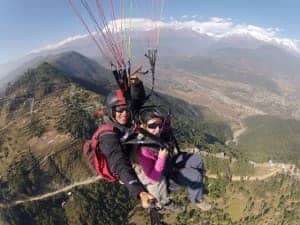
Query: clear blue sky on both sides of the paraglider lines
[26, 25]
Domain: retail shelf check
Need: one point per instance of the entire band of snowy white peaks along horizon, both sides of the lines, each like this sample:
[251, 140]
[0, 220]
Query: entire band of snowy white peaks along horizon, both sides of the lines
[216, 30]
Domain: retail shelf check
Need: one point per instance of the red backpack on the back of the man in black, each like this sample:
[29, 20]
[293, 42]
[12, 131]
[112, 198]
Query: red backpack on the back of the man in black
[97, 160]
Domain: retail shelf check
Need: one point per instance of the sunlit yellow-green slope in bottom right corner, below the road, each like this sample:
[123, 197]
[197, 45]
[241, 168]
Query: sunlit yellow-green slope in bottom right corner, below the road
[275, 201]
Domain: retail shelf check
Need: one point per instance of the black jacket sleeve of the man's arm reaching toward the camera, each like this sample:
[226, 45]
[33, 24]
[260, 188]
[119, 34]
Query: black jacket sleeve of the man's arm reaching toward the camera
[119, 162]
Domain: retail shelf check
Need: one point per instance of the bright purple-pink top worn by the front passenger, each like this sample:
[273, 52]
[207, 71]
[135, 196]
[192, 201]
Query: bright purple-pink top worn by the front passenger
[151, 164]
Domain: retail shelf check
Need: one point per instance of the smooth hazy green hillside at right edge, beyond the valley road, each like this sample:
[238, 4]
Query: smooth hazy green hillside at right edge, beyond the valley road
[271, 138]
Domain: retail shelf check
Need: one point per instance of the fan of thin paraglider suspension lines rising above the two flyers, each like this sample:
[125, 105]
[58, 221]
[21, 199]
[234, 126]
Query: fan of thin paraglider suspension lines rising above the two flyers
[112, 24]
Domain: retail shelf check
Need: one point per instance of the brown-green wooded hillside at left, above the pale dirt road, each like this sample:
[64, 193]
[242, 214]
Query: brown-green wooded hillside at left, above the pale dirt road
[44, 140]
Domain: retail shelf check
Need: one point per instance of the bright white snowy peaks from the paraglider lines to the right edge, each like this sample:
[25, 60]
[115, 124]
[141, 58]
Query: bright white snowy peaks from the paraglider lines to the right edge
[218, 29]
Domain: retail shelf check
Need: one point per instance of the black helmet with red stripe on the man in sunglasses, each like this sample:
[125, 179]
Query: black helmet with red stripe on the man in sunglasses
[114, 99]
